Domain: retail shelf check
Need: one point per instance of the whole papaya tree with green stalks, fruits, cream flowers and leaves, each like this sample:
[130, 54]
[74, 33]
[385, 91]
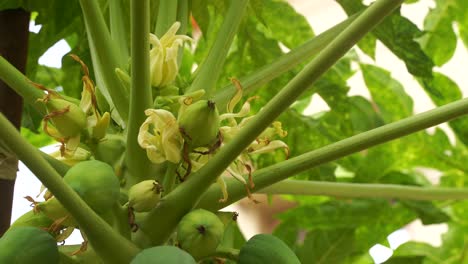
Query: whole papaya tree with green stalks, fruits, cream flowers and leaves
[165, 112]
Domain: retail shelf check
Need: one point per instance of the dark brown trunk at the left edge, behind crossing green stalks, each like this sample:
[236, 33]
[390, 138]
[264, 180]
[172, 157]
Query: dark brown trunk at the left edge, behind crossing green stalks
[14, 32]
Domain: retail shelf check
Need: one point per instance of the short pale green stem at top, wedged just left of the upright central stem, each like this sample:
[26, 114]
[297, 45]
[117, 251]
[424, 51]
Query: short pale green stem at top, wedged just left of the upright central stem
[119, 31]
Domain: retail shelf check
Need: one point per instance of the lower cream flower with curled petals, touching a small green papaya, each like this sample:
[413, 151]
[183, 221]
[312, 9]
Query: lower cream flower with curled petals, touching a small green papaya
[160, 136]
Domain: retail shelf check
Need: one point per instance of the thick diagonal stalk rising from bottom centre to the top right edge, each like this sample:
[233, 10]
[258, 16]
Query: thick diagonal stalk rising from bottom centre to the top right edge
[183, 198]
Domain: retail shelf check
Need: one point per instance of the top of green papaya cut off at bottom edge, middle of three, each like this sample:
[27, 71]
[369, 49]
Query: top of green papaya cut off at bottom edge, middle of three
[162, 255]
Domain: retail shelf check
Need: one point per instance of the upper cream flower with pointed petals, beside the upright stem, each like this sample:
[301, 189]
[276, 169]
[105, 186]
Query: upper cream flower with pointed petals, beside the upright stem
[163, 56]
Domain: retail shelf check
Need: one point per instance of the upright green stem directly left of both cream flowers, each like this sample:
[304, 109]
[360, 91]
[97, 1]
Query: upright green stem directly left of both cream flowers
[140, 100]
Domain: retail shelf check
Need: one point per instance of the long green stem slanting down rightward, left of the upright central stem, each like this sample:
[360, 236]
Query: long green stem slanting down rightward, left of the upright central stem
[103, 50]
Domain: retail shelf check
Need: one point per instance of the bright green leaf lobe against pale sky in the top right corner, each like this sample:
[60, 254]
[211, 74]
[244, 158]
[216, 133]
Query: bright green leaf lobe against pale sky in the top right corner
[439, 40]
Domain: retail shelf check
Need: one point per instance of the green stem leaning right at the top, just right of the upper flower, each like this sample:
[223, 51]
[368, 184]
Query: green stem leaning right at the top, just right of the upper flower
[209, 71]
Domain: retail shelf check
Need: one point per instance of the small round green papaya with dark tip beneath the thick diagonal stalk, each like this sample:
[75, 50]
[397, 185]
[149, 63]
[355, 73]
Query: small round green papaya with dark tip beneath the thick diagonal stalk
[200, 232]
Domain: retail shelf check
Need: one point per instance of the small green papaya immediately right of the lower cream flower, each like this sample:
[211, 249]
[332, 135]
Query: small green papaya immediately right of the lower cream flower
[199, 122]
